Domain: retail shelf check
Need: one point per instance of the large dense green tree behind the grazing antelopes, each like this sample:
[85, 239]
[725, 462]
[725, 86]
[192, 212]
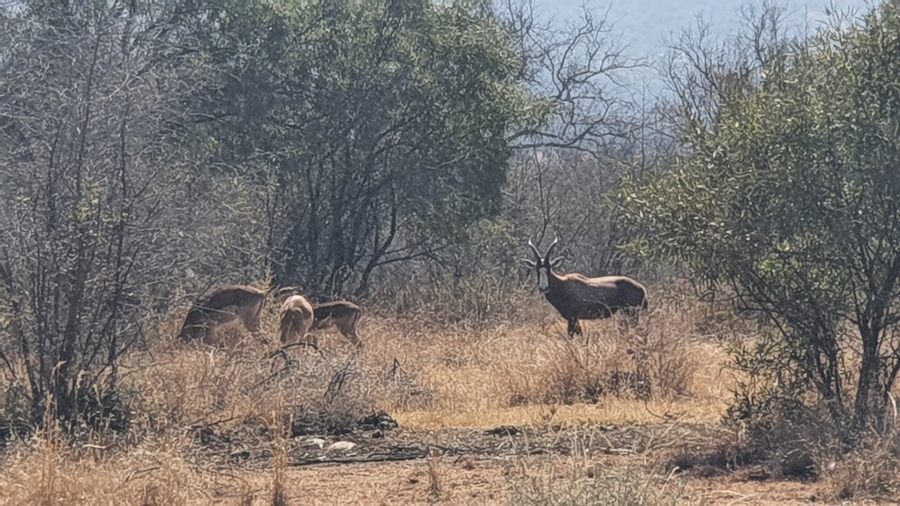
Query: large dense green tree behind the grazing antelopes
[377, 122]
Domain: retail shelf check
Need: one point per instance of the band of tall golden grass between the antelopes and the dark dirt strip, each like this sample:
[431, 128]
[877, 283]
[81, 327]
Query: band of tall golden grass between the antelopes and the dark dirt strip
[432, 374]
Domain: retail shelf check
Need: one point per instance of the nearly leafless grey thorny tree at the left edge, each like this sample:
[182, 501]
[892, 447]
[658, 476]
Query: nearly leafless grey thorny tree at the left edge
[87, 91]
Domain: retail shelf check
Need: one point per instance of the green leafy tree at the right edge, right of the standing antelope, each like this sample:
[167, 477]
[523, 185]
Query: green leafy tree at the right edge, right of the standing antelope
[791, 199]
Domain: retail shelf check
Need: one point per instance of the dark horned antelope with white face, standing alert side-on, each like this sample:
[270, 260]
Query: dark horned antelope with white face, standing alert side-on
[577, 297]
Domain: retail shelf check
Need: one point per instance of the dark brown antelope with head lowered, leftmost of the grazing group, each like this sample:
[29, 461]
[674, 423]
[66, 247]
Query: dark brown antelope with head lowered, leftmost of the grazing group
[225, 307]
